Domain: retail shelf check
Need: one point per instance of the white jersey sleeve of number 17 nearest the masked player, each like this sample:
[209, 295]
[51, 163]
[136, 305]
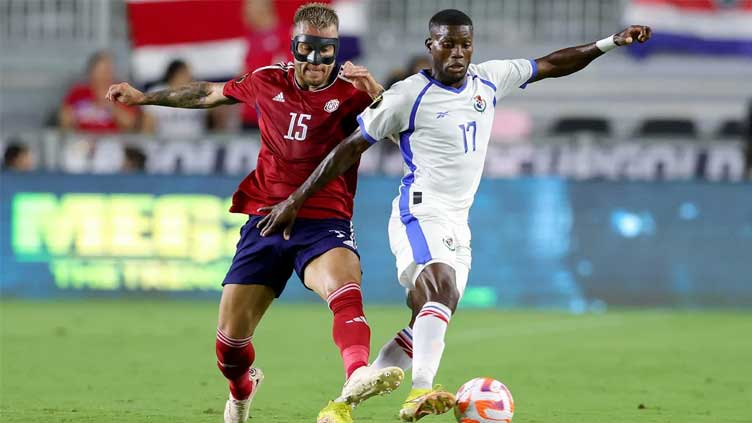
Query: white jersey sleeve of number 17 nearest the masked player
[388, 115]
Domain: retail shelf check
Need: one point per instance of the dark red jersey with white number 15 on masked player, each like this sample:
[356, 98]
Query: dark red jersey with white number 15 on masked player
[298, 129]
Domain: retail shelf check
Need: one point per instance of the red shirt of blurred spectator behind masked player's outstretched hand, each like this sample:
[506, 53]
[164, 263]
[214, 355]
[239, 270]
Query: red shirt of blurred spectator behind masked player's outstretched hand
[92, 114]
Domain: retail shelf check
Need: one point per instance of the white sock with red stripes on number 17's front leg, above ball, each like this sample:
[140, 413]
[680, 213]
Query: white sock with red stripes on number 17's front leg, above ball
[428, 343]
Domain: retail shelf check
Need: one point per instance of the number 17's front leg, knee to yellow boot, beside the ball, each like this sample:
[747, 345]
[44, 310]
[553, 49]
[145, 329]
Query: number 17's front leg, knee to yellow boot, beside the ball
[434, 299]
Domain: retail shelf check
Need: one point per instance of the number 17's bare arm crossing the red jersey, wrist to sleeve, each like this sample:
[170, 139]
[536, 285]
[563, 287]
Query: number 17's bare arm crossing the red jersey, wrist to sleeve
[337, 162]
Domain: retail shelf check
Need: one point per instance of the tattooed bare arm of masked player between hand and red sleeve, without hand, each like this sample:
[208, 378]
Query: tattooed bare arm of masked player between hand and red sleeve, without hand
[195, 95]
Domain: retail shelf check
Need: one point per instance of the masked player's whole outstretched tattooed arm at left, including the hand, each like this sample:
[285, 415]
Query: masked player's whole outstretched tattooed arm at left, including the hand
[195, 95]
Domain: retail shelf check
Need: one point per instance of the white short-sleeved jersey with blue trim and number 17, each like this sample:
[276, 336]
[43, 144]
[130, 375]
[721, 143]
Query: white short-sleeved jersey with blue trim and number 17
[443, 132]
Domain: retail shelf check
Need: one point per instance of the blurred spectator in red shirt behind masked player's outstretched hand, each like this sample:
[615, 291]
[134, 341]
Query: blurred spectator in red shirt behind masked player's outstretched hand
[85, 108]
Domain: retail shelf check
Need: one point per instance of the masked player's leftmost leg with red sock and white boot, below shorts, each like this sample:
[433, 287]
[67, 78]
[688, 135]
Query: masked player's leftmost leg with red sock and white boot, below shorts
[240, 311]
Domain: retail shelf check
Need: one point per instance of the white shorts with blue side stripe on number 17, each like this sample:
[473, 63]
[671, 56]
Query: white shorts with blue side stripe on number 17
[424, 237]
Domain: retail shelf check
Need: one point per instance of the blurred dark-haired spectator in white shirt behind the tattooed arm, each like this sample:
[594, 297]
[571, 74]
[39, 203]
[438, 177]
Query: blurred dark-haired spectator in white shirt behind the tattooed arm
[171, 123]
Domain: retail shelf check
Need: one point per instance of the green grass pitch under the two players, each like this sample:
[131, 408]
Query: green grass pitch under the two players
[146, 361]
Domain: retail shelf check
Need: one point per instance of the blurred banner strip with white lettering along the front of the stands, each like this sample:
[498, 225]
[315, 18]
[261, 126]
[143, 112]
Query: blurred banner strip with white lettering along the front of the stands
[576, 156]
